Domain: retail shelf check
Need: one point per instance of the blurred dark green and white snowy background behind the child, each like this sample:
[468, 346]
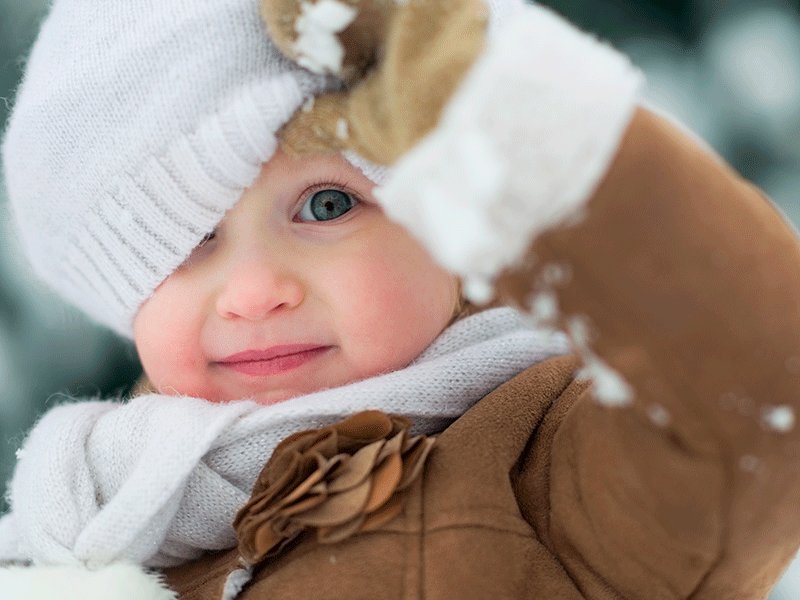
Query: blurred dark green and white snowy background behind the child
[728, 69]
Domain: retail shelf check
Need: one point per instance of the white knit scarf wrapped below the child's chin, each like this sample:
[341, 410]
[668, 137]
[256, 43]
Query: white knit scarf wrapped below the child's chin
[157, 480]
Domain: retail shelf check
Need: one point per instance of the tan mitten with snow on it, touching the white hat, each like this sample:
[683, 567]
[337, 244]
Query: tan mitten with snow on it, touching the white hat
[401, 63]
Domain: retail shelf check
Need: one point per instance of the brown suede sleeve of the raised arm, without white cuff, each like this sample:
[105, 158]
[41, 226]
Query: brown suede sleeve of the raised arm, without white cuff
[690, 281]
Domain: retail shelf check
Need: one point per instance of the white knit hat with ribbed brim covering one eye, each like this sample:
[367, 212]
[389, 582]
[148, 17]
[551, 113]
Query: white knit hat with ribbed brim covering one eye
[137, 126]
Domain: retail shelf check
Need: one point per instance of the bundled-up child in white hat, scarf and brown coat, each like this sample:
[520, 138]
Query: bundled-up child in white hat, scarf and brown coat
[315, 239]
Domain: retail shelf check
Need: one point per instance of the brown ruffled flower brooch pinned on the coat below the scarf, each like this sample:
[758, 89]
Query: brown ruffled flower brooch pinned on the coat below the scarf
[338, 480]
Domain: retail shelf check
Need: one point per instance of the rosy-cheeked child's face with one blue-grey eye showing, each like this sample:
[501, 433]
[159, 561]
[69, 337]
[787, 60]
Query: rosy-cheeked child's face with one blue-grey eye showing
[304, 285]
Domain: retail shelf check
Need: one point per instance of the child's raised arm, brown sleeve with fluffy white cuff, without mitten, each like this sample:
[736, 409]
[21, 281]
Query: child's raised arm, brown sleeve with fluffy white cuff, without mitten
[680, 284]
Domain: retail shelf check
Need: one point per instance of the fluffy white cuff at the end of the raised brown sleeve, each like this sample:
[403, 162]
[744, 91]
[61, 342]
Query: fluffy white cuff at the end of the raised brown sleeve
[519, 149]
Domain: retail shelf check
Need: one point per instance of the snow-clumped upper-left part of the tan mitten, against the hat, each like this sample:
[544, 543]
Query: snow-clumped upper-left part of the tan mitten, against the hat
[341, 37]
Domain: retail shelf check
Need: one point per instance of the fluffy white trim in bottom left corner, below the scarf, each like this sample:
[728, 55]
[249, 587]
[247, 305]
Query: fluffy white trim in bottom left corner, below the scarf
[115, 582]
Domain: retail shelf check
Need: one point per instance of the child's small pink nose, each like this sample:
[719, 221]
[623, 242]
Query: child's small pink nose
[254, 290]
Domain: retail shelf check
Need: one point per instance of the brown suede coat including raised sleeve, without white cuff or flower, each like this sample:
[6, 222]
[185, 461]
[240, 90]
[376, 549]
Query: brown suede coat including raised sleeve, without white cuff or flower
[691, 282]
